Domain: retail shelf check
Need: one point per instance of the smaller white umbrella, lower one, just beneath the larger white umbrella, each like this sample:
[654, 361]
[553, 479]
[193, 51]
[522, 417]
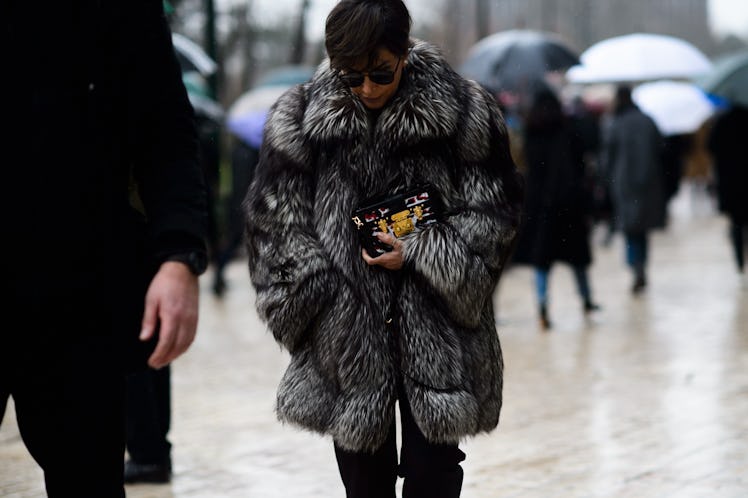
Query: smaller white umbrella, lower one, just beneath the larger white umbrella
[677, 107]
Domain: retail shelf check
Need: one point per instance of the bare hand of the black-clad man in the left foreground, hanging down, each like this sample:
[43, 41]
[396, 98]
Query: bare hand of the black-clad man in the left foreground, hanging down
[171, 303]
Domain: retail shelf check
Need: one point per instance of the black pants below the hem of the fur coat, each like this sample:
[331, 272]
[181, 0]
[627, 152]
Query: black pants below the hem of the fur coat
[429, 470]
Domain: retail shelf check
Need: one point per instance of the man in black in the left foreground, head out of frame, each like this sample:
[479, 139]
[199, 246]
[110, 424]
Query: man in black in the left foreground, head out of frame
[105, 215]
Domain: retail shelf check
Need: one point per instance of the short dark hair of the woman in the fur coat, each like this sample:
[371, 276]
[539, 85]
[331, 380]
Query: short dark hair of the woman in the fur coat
[358, 28]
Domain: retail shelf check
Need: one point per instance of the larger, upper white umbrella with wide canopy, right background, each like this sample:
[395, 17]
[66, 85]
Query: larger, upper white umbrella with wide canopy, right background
[639, 57]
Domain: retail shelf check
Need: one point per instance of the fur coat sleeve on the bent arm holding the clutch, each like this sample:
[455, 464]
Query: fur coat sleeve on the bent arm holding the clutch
[462, 258]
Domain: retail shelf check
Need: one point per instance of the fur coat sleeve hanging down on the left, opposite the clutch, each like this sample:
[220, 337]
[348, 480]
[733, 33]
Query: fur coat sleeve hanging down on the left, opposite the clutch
[291, 275]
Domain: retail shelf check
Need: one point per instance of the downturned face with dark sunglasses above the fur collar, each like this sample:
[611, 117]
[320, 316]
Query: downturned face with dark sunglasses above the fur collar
[373, 89]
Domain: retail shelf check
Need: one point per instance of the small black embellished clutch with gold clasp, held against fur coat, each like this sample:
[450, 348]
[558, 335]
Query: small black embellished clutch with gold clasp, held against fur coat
[398, 215]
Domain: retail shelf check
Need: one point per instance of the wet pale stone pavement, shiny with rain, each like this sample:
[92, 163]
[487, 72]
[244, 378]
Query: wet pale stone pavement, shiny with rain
[646, 398]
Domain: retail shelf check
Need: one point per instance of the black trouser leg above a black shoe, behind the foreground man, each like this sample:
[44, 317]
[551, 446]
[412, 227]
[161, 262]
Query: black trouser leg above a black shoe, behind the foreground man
[149, 416]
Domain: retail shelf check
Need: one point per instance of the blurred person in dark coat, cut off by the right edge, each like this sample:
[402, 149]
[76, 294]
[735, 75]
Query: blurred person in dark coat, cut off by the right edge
[727, 144]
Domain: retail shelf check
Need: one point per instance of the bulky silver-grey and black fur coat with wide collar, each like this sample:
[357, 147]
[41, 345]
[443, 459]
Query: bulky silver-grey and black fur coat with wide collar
[322, 155]
